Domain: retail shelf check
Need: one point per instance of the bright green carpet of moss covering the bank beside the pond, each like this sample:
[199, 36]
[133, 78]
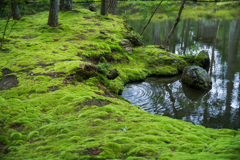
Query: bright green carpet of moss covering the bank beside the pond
[51, 114]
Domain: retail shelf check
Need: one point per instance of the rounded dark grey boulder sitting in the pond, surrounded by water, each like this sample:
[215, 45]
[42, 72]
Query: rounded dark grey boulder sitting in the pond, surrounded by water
[196, 77]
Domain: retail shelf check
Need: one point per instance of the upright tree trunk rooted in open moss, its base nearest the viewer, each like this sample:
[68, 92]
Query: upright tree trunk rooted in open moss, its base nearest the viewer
[53, 13]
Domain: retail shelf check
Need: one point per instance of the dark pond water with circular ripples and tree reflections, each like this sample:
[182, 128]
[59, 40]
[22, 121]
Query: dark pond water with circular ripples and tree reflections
[218, 108]
